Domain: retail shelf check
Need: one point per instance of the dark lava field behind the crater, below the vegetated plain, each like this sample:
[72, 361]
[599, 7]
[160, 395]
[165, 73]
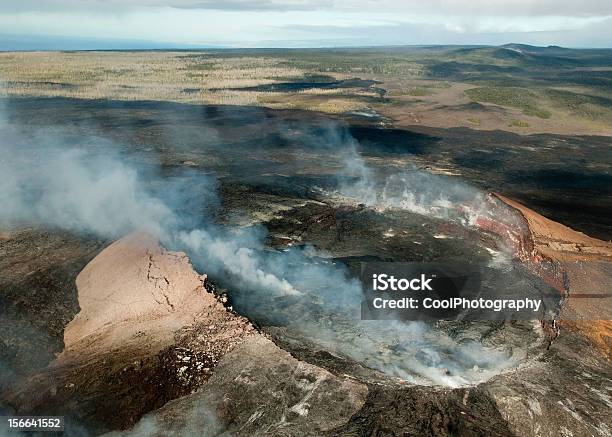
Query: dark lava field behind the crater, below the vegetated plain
[565, 178]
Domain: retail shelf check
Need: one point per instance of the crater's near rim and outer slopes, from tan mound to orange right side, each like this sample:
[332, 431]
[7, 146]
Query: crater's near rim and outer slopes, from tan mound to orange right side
[152, 352]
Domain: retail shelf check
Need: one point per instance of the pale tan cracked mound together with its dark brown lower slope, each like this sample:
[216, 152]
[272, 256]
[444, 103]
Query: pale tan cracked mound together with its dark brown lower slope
[140, 305]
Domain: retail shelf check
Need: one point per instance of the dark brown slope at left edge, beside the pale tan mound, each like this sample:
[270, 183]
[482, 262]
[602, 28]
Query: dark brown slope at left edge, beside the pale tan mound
[38, 295]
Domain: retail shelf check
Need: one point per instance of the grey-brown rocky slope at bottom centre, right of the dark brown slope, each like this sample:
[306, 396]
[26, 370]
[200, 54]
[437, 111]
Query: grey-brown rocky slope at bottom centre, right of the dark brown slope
[259, 389]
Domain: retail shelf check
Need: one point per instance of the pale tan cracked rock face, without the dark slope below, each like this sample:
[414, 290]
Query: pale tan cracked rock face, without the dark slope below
[132, 288]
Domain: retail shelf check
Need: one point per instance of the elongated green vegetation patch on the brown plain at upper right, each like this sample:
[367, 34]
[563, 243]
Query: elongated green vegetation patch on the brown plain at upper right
[514, 97]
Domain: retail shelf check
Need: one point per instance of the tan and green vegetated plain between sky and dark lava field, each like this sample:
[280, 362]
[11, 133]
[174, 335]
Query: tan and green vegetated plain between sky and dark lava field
[574, 84]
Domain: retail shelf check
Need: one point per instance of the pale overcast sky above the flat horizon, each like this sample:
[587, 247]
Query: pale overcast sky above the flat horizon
[301, 23]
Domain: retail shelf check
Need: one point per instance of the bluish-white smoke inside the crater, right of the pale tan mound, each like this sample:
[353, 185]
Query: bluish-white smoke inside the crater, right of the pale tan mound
[325, 310]
